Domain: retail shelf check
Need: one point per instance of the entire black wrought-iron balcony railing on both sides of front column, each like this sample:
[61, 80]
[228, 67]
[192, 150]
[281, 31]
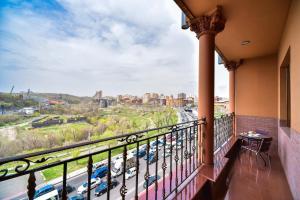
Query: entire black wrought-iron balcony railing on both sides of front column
[174, 156]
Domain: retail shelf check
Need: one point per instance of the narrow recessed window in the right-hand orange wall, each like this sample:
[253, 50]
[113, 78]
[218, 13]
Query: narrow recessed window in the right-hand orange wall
[285, 92]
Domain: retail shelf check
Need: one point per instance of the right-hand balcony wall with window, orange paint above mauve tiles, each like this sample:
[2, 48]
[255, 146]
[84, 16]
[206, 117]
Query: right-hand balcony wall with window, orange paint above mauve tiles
[289, 138]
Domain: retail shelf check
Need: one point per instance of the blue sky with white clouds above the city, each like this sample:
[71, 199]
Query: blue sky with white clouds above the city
[81, 46]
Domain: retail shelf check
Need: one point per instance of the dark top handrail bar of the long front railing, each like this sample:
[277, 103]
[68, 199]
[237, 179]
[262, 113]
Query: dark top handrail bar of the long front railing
[18, 157]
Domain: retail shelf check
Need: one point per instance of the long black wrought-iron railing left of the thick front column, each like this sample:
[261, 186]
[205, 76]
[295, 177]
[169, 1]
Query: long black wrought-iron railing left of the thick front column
[174, 149]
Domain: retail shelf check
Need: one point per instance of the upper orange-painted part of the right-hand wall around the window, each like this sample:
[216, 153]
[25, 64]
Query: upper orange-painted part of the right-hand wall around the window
[291, 39]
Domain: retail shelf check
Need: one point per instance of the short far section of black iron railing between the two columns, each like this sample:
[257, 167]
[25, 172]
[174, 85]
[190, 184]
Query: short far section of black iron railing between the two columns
[223, 130]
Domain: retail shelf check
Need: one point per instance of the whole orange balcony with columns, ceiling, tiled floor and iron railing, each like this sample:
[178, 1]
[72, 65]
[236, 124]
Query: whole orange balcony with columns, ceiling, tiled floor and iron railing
[202, 159]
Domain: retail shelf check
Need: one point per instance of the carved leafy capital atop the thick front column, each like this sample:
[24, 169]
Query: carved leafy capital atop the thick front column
[208, 24]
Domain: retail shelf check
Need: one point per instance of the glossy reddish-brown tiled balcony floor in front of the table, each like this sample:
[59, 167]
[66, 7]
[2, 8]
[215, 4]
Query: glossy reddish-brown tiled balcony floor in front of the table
[253, 181]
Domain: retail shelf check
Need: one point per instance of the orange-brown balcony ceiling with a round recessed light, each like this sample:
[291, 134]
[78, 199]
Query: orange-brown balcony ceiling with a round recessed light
[259, 21]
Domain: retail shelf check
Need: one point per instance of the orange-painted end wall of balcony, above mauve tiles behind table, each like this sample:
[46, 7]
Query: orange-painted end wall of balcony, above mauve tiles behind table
[256, 87]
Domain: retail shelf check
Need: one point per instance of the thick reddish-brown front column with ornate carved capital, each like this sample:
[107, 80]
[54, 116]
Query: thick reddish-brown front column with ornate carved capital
[206, 27]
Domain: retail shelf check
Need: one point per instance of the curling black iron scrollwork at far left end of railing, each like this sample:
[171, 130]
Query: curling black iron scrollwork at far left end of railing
[21, 168]
